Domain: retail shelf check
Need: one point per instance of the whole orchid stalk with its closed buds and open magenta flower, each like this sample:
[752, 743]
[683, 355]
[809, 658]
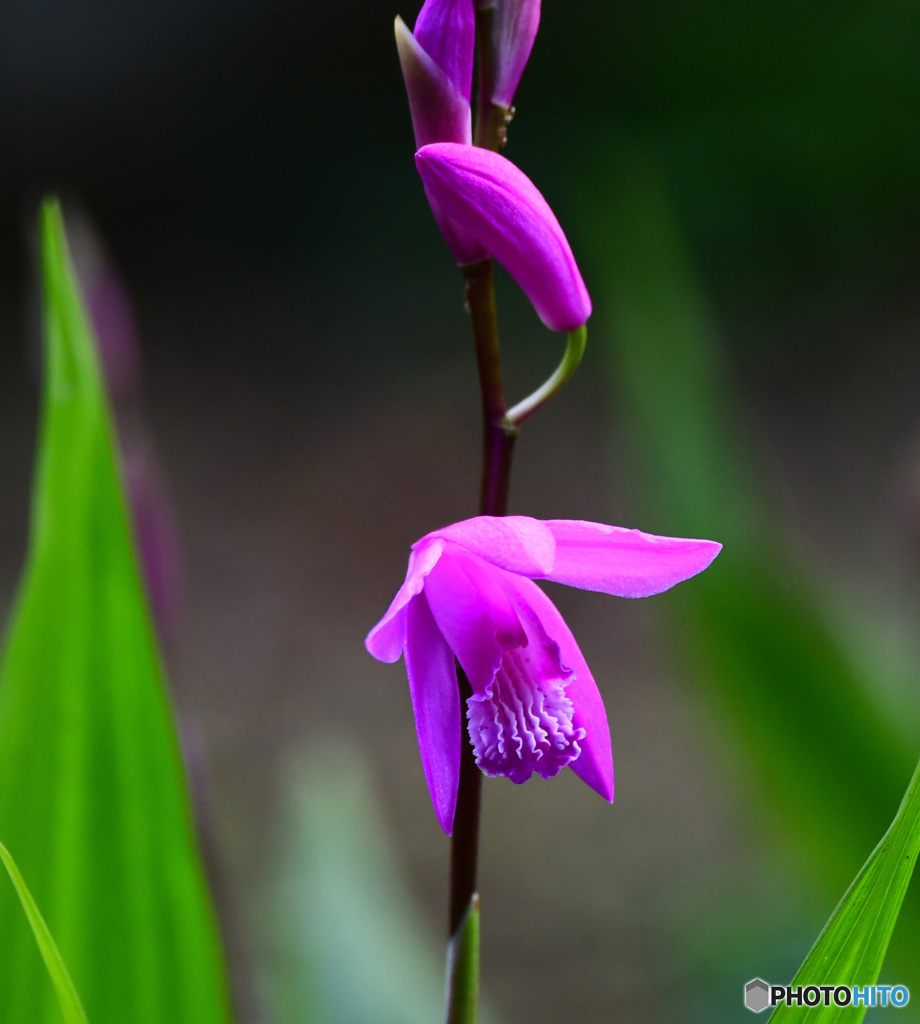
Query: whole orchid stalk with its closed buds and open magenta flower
[498, 685]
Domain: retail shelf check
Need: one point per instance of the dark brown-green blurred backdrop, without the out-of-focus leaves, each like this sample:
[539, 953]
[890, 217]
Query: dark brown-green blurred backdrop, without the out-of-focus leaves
[311, 390]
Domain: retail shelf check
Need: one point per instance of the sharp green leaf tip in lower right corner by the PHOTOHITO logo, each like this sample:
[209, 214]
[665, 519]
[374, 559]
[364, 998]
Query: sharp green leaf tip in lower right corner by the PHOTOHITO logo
[852, 948]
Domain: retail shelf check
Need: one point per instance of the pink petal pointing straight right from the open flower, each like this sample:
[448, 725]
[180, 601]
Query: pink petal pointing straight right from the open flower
[625, 563]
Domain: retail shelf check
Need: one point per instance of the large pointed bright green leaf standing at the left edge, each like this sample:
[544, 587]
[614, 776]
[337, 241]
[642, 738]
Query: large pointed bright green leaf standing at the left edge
[93, 794]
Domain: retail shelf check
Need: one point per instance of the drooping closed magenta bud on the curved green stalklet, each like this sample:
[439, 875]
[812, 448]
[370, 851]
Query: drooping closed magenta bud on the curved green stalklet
[489, 199]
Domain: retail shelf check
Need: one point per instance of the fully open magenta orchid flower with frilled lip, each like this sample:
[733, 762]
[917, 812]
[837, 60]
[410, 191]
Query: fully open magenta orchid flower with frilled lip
[469, 595]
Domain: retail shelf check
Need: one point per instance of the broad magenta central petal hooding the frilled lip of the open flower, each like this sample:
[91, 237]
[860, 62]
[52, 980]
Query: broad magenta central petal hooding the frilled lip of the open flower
[474, 614]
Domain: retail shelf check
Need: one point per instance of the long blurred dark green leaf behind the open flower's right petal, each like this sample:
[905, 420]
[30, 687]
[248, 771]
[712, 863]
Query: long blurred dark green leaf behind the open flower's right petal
[810, 727]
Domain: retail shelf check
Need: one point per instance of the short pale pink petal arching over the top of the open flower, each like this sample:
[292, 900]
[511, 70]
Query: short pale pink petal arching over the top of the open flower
[516, 543]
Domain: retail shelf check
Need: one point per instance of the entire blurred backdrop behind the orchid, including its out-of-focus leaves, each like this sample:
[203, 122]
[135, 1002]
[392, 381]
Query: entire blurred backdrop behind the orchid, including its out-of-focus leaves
[741, 186]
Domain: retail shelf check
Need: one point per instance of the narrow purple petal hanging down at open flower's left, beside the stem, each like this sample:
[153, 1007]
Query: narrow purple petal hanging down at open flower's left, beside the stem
[436, 702]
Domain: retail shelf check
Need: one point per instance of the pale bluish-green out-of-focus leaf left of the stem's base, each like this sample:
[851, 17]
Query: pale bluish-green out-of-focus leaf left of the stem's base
[349, 946]
